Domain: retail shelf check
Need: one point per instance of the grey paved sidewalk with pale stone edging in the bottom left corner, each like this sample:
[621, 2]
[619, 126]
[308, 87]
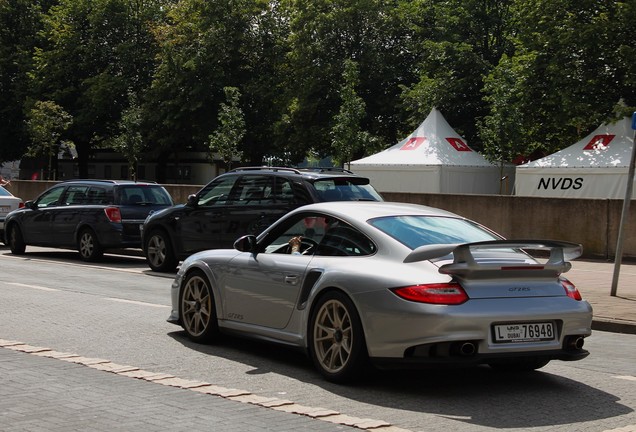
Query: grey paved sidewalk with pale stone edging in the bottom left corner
[52, 395]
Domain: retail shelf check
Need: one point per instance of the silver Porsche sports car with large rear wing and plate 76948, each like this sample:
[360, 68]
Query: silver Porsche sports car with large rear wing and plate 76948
[388, 284]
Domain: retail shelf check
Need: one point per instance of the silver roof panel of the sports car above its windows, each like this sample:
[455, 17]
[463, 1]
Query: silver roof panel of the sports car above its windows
[364, 210]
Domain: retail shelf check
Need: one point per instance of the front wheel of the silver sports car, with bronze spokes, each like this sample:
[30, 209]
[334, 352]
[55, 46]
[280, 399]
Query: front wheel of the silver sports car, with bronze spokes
[197, 308]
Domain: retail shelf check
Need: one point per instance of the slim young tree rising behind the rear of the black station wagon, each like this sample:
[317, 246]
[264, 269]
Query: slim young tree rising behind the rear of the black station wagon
[129, 142]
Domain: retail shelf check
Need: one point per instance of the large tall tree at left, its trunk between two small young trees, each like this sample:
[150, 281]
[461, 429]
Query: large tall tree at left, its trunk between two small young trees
[93, 52]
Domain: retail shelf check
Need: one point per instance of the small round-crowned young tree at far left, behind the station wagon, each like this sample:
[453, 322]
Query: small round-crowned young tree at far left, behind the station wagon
[46, 123]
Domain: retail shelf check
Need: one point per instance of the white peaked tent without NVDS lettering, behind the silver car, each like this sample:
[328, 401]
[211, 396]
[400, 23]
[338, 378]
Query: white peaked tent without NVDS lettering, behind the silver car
[432, 159]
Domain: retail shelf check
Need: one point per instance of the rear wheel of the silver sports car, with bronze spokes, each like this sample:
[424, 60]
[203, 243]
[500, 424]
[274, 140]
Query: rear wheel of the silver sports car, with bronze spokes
[336, 338]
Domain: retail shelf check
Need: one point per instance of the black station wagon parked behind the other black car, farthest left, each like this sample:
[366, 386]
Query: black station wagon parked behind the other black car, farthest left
[88, 215]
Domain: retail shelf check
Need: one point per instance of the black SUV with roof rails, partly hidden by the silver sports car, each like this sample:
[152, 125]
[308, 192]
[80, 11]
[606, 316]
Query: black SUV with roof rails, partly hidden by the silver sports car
[242, 201]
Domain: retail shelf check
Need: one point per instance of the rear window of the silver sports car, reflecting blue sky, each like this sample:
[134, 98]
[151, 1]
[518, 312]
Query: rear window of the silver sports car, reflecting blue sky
[416, 231]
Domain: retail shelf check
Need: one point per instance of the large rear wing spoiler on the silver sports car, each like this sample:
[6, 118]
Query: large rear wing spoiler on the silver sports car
[464, 262]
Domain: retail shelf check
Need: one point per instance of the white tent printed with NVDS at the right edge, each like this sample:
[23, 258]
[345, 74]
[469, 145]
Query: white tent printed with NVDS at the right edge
[594, 167]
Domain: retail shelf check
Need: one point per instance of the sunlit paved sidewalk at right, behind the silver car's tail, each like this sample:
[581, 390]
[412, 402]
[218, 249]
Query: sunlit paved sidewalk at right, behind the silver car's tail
[594, 281]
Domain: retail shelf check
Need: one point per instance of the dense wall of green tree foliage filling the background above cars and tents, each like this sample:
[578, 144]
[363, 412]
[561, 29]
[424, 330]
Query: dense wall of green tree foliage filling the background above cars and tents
[544, 70]
